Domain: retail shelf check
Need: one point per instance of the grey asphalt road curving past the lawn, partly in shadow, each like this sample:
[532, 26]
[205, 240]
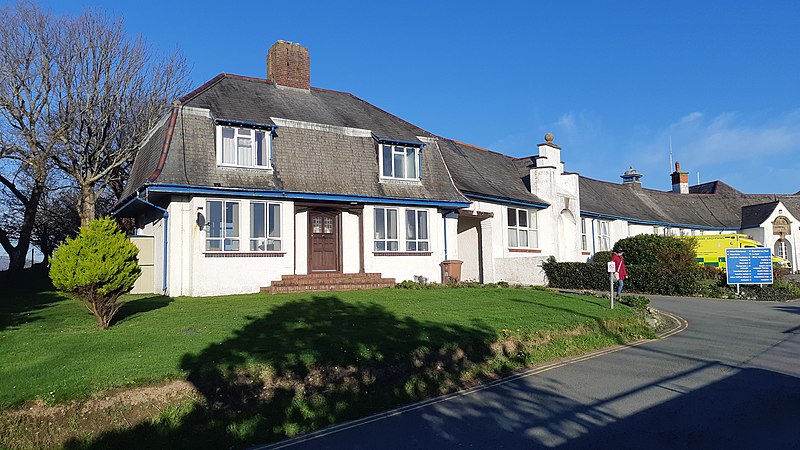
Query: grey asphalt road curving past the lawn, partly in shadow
[730, 378]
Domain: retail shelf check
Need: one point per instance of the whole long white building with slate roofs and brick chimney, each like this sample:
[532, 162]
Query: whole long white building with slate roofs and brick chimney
[270, 184]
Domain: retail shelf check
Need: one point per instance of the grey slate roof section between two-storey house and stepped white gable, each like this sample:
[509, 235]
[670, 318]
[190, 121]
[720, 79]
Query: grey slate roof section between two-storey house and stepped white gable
[479, 171]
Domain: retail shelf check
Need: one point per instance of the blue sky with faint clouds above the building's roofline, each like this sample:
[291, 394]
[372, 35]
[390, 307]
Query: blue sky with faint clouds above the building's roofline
[612, 80]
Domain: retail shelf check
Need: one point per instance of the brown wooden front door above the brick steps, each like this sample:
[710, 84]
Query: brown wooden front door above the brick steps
[324, 241]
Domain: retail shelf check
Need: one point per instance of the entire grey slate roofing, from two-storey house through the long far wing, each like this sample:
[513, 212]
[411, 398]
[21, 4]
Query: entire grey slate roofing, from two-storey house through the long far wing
[326, 161]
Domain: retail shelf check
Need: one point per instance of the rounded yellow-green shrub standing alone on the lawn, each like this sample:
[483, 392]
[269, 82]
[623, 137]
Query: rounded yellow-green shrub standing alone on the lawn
[97, 266]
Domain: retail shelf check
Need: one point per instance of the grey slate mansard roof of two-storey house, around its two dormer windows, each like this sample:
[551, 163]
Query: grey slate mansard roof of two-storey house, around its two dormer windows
[337, 158]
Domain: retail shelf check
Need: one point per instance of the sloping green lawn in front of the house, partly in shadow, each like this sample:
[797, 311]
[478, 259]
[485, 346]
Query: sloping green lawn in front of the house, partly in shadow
[268, 366]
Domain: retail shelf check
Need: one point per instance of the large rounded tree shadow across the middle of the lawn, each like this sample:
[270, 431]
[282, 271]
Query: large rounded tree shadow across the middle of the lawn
[304, 365]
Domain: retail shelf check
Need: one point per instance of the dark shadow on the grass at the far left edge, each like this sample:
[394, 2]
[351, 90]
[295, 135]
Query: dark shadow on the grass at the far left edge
[23, 294]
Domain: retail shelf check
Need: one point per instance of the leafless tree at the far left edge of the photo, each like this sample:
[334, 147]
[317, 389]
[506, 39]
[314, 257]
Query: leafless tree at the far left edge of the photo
[31, 105]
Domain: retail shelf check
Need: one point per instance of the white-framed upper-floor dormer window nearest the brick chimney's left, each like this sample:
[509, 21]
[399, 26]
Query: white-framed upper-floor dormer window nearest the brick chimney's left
[243, 147]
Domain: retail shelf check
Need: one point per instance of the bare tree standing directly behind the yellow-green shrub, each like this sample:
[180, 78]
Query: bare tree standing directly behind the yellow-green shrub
[118, 89]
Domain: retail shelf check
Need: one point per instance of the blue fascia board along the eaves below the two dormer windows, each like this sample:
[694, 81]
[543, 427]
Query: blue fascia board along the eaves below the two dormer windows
[293, 195]
